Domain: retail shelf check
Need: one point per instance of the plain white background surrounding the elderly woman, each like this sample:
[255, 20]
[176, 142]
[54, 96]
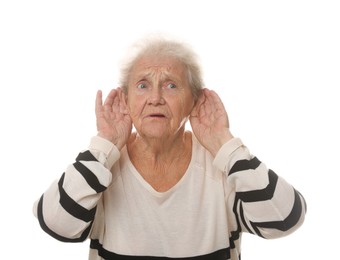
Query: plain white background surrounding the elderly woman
[276, 65]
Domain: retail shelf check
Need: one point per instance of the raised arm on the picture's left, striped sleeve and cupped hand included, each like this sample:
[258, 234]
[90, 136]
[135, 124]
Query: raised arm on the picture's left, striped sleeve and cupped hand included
[67, 209]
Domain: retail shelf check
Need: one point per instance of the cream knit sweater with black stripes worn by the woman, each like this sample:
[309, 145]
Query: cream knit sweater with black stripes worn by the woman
[102, 197]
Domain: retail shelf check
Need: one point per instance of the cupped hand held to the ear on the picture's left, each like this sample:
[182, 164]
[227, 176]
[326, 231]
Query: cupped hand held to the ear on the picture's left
[113, 120]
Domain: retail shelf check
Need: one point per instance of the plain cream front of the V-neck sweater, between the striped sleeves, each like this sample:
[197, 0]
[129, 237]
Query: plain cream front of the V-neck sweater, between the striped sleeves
[190, 217]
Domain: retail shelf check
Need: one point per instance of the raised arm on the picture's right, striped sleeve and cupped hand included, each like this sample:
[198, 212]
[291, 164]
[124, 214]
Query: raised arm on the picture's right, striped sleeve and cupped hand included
[263, 203]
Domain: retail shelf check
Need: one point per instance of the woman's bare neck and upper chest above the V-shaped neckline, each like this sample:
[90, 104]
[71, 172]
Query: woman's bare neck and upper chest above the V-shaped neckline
[162, 163]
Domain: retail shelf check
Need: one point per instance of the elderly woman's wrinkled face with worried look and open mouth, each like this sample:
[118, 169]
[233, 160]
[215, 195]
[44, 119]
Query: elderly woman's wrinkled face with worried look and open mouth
[159, 97]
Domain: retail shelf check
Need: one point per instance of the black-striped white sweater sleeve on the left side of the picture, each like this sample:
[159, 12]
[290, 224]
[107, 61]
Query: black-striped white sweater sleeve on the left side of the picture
[67, 208]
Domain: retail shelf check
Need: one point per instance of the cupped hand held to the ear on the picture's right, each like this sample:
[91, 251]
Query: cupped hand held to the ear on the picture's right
[209, 121]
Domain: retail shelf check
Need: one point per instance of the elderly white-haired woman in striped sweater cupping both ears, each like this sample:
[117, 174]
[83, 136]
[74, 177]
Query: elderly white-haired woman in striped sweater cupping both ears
[162, 191]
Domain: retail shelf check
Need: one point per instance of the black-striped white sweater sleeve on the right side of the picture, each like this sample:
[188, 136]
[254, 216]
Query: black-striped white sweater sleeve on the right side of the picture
[263, 202]
